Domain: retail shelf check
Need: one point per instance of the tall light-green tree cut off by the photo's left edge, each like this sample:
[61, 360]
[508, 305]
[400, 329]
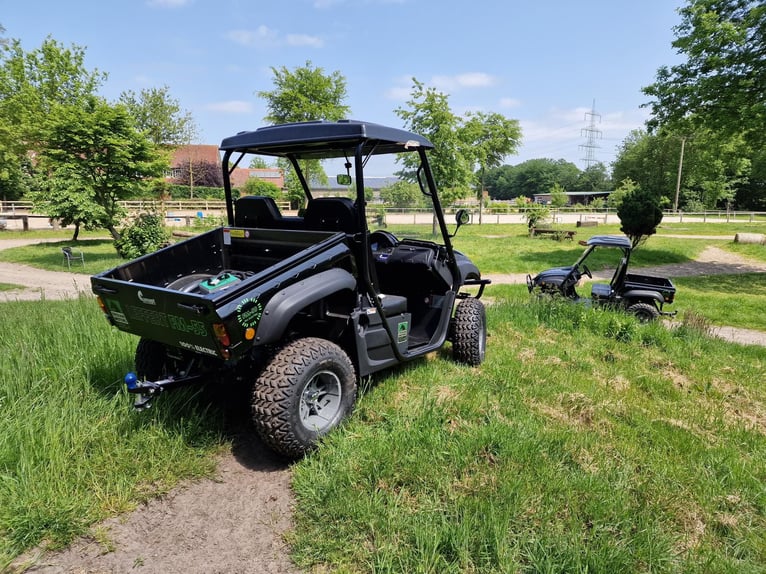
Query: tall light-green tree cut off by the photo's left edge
[31, 85]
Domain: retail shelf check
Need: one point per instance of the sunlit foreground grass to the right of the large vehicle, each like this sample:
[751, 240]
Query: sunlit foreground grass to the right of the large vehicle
[586, 442]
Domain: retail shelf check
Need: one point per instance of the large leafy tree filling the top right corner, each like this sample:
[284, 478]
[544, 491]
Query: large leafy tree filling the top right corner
[720, 85]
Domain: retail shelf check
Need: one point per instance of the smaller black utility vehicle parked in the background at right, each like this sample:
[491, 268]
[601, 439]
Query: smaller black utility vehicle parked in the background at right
[641, 295]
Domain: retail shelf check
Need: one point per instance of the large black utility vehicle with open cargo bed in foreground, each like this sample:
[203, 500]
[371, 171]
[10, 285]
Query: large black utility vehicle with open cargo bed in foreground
[301, 306]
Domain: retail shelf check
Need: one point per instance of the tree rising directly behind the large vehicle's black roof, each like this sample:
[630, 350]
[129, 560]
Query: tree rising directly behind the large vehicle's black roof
[300, 95]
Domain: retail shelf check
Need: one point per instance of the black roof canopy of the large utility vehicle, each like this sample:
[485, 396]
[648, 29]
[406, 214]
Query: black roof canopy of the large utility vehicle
[324, 139]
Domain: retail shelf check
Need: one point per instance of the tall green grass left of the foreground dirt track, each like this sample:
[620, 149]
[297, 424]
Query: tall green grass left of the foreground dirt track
[72, 451]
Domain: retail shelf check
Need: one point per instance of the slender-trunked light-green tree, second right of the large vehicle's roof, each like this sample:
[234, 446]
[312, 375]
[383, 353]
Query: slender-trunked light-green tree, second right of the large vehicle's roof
[490, 137]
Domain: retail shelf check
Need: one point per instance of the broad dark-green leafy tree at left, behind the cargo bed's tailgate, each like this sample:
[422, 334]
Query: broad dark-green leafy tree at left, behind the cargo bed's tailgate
[100, 154]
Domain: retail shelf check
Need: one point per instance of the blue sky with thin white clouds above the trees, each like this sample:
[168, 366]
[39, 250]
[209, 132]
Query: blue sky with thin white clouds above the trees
[542, 62]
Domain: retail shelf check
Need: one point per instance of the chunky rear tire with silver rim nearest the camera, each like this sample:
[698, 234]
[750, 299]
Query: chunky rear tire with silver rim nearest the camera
[305, 390]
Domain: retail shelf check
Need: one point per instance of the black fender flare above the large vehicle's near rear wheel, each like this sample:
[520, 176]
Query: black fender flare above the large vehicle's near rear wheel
[283, 306]
